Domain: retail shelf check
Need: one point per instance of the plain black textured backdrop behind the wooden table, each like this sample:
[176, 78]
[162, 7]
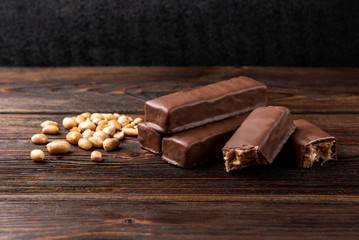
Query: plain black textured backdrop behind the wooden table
[179, 32]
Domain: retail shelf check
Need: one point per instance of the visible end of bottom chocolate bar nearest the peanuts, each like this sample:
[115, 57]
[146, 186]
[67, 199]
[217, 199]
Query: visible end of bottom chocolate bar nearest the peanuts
[148, 138]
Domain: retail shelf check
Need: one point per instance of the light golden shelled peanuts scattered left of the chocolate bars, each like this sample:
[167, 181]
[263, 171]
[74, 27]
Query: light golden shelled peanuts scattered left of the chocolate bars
[97, 130]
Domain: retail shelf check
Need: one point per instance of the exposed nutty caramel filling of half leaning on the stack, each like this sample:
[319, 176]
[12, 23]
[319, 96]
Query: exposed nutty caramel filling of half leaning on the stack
[236, 159]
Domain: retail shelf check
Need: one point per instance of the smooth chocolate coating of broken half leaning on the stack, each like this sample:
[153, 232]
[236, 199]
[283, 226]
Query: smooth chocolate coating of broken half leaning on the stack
[266, 127]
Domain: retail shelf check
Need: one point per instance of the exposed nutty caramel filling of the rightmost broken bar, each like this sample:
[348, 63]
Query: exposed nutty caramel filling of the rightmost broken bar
[318, 151]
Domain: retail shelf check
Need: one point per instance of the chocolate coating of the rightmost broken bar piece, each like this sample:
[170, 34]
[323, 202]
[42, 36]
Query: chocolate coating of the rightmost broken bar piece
[305, 134]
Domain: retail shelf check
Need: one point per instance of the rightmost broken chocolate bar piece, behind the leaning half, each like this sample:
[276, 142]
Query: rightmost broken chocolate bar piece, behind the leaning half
[310, 144]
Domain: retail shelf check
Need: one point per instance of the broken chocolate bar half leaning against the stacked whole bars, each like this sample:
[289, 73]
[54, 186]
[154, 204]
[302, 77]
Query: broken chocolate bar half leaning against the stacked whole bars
[259, 139]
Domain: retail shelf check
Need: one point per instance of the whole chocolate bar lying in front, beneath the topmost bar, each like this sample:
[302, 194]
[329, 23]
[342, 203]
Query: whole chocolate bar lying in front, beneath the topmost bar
[199, 145]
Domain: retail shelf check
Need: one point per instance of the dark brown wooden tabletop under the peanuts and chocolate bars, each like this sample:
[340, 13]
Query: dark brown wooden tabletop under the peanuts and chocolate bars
[135, 195]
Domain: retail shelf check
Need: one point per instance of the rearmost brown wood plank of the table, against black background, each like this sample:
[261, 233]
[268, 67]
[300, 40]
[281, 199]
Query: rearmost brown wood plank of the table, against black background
[125, 89]
